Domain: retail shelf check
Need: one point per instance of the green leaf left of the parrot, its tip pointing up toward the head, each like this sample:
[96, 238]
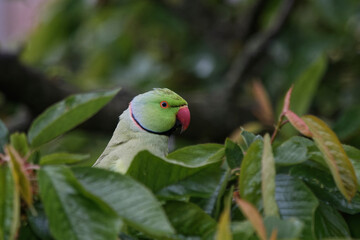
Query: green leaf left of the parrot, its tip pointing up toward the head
[66, 114]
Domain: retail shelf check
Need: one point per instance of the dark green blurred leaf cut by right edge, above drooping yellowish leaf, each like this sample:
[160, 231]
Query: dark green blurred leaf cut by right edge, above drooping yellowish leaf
[348, 124]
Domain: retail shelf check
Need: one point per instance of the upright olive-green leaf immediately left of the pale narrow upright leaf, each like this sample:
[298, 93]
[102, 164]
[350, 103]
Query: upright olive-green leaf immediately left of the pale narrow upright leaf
[250, 174]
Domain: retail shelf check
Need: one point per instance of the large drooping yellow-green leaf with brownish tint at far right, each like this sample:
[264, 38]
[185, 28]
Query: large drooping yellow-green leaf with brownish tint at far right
[335, 156]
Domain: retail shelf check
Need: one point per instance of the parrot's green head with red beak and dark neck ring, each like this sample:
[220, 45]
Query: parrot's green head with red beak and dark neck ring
[160, 111]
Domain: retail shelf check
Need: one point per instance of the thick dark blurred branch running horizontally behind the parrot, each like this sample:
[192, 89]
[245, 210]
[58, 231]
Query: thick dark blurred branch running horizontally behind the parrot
[209, 119]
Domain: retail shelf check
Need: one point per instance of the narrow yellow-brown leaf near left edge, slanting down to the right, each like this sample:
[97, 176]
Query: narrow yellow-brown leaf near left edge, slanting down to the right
[21, 177]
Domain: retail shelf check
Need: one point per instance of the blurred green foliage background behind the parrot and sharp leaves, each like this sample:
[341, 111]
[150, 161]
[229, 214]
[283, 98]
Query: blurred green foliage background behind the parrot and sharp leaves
[232, 59]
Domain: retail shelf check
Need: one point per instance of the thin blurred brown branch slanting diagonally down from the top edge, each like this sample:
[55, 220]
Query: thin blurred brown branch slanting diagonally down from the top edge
[253, 48]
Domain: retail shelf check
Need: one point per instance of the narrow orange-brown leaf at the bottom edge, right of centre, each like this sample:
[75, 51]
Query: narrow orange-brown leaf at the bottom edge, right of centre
[252, 214]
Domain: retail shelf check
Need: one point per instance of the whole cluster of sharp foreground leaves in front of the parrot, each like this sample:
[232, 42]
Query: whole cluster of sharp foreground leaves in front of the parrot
[303, 188]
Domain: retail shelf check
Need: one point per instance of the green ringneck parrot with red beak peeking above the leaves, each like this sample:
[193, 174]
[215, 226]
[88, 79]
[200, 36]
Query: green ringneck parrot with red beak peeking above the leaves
[145, 125]
